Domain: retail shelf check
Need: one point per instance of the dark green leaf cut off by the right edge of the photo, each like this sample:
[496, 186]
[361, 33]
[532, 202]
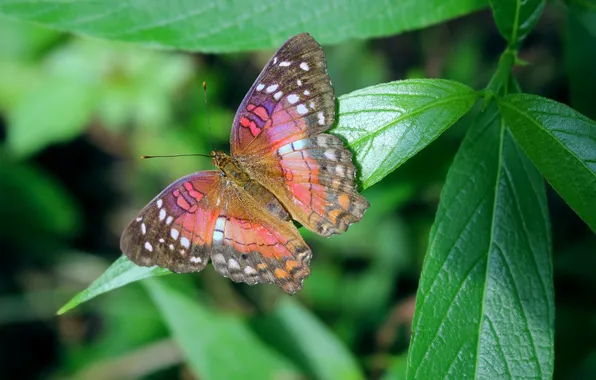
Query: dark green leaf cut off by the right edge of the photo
[562, 144]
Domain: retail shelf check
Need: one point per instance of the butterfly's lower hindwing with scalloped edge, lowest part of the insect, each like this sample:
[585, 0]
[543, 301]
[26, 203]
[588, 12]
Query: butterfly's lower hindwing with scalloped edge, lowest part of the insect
[255, 241]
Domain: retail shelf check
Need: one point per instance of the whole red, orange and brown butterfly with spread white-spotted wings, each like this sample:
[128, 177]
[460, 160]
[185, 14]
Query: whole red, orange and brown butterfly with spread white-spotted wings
[281, 167]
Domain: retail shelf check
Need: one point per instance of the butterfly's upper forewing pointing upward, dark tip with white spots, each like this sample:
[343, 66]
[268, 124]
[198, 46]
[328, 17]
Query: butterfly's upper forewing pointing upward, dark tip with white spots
[292, 98]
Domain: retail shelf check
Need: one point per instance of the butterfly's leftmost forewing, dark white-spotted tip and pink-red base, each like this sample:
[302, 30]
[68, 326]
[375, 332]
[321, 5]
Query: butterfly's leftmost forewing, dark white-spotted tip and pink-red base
[175, 229]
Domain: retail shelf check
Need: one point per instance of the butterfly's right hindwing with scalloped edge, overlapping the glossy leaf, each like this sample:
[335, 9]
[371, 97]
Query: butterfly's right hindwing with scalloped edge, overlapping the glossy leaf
[318, 186]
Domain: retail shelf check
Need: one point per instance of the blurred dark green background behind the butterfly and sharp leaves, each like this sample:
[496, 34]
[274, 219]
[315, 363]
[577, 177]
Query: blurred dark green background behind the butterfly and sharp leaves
[75, 115]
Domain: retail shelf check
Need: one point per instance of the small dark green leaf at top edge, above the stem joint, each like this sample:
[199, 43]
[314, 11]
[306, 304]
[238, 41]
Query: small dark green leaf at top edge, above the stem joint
[516, 18]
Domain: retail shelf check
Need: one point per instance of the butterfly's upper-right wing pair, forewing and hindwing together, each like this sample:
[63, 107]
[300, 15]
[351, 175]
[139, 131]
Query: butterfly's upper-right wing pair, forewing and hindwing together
[277, 134]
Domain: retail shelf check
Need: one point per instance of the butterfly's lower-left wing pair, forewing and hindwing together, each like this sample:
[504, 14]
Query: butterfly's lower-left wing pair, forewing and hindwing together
[246, 231]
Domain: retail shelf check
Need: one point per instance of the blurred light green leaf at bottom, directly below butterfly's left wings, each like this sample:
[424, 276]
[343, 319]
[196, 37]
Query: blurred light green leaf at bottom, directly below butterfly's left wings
[209, 339]
